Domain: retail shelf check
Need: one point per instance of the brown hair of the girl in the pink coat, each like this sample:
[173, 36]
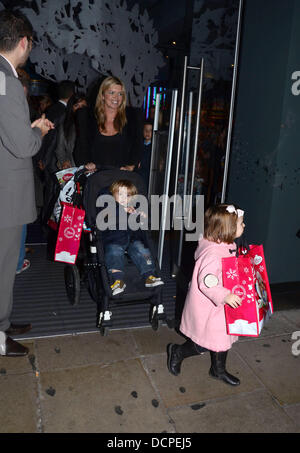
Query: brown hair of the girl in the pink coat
[219, 224]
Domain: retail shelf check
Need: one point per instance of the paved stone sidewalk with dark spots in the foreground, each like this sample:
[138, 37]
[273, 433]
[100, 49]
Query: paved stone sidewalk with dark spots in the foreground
[120, 384]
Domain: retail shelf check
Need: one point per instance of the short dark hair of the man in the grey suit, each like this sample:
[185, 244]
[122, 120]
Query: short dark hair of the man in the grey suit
[13, 26]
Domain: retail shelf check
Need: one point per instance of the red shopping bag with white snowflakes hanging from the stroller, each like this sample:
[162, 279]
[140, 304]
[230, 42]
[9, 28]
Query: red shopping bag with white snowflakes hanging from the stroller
[69, 234]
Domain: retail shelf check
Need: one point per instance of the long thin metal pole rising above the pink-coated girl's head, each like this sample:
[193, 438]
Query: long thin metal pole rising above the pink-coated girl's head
[236, 58]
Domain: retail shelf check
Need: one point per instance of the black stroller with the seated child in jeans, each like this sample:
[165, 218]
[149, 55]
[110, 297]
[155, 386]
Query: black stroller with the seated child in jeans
[90, 268]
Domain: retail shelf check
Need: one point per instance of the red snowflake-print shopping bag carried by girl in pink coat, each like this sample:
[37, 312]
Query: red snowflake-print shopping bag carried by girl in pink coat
[246, 276]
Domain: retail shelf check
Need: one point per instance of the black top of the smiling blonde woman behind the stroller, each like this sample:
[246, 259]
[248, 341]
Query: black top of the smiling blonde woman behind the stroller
[122, 149]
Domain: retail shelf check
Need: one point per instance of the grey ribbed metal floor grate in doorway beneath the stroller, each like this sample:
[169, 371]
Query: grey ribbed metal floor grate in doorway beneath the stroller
[40, 298]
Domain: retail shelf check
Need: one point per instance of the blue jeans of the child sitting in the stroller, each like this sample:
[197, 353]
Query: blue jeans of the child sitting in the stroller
[140, 255]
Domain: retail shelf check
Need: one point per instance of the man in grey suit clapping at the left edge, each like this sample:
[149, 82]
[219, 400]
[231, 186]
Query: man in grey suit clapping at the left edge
[19, 141]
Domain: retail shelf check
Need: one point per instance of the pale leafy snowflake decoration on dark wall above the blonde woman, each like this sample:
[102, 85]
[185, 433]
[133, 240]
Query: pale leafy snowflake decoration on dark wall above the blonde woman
[82, 40]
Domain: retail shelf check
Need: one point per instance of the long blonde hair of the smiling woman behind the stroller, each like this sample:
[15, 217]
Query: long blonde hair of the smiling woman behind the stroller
[120, 119]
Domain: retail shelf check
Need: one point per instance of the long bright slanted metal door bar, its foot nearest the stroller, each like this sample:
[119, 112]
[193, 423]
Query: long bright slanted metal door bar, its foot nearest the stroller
[167, 178]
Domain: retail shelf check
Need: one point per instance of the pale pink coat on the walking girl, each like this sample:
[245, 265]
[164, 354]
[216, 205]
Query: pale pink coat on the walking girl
[203, 317]
